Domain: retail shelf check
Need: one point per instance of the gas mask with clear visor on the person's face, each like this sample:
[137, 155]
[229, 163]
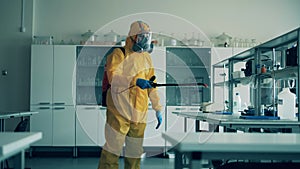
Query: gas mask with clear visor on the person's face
[142, 43]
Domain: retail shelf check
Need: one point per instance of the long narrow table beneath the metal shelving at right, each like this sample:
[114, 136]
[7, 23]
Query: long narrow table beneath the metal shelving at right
[234, 122]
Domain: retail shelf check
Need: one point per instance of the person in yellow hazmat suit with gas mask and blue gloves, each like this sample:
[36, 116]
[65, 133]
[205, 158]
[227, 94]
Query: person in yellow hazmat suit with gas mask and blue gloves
[127, 99]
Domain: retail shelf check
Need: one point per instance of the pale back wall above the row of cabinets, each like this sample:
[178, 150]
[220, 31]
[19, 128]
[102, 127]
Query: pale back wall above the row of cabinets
[259, 19]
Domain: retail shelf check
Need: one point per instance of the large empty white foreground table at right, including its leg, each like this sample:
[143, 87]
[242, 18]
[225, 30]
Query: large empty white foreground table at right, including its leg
[244, 146]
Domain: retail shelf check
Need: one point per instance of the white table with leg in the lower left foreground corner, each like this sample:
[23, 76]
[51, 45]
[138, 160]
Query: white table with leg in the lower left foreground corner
[13, 144]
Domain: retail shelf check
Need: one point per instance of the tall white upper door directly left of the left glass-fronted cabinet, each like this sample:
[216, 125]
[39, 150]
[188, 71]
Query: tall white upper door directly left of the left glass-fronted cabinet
[64, 75]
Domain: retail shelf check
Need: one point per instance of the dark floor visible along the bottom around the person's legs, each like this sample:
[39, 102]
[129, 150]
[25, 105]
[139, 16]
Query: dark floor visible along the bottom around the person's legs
[91, 163]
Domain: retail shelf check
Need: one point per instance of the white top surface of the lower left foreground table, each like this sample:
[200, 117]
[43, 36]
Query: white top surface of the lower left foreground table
[11, 142]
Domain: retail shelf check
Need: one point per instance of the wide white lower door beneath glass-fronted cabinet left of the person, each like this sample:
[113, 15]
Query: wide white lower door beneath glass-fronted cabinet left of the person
[87, 122]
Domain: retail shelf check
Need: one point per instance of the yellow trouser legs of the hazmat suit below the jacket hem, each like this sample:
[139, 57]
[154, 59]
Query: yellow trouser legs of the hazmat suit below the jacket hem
[117, 132]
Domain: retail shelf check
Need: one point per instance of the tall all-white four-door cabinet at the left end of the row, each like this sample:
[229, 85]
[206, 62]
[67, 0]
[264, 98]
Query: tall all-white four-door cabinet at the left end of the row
[52, 88]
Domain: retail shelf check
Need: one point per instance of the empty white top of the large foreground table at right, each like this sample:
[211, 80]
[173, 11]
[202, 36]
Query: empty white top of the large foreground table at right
[235, 142]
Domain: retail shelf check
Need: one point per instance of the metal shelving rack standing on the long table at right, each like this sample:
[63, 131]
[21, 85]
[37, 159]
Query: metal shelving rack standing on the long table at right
[275, 49]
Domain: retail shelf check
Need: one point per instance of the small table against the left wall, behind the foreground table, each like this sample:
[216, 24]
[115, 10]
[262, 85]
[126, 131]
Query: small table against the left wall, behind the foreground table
[7, 115]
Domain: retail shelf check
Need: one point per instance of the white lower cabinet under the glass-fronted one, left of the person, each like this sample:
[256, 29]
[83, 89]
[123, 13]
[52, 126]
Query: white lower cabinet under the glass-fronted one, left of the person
[90, 124]
